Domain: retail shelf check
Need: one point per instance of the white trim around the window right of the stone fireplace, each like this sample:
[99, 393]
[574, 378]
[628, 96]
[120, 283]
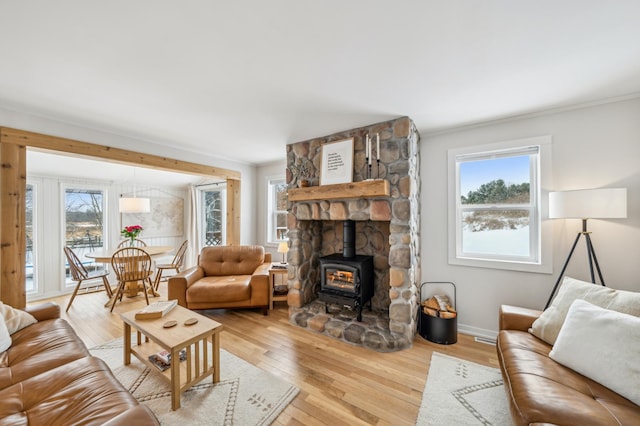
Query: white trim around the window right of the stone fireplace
[543, 264]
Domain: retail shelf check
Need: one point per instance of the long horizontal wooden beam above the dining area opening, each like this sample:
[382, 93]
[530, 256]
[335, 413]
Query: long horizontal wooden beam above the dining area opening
[54, 143]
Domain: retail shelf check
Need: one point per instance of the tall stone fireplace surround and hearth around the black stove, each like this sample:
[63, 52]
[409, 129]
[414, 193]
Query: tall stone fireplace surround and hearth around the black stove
[387, 228]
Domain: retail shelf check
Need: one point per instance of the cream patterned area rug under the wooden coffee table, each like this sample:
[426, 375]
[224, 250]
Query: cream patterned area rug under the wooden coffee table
[245, 395]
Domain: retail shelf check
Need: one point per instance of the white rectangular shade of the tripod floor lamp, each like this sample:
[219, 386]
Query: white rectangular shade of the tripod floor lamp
[604, 203]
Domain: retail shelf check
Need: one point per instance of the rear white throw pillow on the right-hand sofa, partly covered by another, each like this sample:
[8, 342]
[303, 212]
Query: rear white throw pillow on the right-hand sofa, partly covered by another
[548, 325]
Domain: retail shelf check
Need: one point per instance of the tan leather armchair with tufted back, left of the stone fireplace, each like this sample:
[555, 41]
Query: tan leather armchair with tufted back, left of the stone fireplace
[225, 277]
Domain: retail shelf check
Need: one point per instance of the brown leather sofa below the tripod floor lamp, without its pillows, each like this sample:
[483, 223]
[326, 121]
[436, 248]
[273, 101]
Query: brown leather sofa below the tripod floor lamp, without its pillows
[541, 391]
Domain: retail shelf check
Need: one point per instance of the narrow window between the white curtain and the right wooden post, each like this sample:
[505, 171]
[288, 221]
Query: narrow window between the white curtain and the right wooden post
[213, 201]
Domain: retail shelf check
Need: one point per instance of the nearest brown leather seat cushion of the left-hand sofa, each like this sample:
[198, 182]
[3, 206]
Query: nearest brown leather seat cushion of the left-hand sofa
[81, 392]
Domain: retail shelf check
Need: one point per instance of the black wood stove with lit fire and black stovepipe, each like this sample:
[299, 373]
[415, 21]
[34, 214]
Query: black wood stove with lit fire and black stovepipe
[346, 278]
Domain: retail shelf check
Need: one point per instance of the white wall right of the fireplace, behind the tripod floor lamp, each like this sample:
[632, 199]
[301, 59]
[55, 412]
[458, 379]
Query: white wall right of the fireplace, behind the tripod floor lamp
[597, 146]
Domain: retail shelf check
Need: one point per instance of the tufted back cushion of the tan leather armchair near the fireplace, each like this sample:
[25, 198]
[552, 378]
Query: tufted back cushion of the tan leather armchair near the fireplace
[230, 260]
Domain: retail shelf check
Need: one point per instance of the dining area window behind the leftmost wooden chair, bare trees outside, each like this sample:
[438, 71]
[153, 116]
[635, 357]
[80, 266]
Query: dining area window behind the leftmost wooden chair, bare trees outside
[83, 224]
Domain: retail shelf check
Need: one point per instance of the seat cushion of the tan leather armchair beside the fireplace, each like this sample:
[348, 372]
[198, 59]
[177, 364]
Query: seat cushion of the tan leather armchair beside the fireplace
[232, 288]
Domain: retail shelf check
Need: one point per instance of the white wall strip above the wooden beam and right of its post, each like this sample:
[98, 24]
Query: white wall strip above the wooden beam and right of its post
[33, 123]
